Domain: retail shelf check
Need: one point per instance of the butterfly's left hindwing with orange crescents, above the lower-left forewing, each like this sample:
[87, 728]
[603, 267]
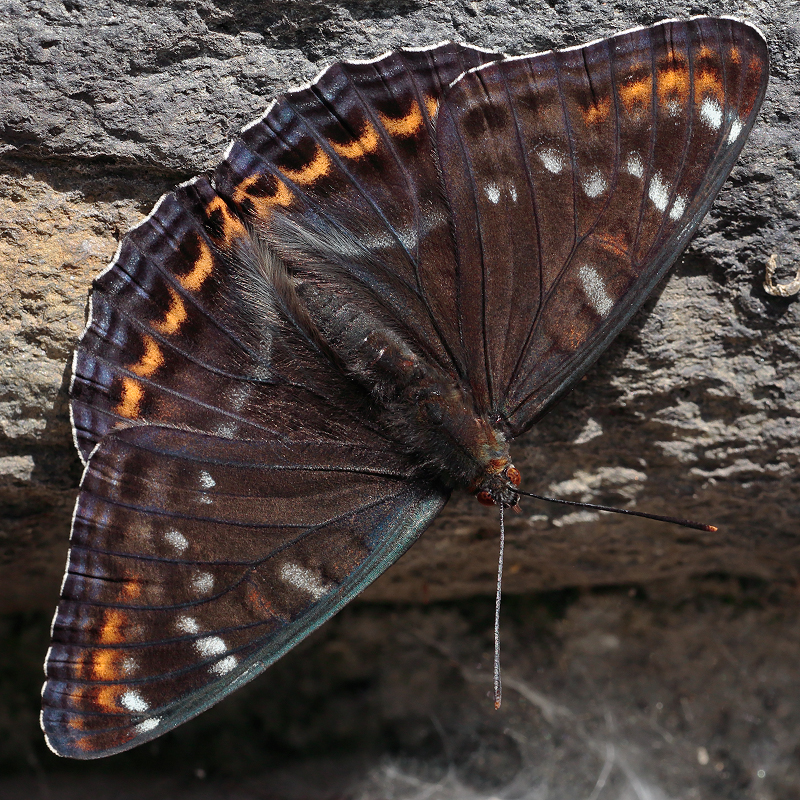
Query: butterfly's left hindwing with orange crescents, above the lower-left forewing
[176, 335]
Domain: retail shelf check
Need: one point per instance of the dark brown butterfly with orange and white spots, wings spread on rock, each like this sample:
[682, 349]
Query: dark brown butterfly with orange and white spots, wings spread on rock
[289, 367]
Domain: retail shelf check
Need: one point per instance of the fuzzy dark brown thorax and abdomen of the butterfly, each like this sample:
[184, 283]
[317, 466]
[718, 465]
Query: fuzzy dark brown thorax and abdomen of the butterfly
[422, 408]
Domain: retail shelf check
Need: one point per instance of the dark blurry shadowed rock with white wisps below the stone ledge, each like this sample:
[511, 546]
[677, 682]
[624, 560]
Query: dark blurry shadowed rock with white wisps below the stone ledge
[681, 691]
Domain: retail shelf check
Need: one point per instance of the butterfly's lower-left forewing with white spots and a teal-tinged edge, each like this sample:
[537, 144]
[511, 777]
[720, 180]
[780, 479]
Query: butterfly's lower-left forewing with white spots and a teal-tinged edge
[196, 561]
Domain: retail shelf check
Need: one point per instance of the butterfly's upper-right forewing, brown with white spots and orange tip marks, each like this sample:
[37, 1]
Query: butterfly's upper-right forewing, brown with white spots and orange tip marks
[575, 179]
